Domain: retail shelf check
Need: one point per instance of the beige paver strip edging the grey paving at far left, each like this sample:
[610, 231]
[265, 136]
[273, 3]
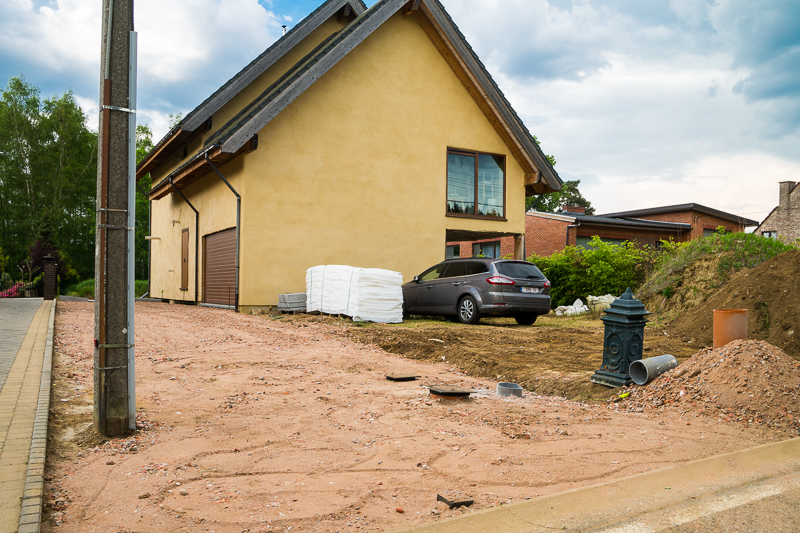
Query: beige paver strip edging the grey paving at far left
[32, 499]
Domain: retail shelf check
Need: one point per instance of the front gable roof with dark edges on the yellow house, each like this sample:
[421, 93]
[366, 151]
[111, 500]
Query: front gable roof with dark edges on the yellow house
[230, 138]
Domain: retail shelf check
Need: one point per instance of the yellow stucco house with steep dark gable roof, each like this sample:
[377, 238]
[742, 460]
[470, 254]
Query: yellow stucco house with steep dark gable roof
[365, 137]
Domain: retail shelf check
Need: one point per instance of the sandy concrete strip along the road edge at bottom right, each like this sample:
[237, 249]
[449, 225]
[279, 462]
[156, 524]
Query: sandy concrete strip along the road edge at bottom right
[636, 503]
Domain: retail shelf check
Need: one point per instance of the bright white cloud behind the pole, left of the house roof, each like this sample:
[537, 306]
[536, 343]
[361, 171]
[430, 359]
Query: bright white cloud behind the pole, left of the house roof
[187, 48]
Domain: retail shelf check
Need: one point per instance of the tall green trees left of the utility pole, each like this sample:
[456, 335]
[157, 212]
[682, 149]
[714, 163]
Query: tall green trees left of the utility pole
[48, 169]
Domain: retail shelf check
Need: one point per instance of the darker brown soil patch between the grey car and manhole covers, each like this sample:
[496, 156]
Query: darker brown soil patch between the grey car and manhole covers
[556, 357]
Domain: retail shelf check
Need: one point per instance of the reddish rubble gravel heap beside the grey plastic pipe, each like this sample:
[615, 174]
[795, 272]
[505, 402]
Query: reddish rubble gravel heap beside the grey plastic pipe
[748, 381]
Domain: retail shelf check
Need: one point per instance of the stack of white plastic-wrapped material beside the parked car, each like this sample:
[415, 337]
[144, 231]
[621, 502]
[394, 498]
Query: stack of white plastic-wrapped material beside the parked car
[364, 294]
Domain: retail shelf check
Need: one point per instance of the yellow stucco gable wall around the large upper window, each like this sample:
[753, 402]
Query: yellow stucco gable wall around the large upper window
[355, 170]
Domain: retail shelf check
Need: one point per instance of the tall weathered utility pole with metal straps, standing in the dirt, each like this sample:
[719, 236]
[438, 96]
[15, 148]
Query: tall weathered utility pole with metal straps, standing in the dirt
[114, 373]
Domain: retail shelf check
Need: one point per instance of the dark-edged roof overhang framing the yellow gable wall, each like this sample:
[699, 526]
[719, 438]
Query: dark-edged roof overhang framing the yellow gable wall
[235, 136]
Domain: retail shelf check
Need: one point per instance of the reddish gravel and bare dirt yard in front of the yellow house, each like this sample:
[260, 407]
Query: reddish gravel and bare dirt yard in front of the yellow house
[264, 423]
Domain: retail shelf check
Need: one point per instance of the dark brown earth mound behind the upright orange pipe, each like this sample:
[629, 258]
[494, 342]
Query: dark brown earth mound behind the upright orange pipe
[769, 292]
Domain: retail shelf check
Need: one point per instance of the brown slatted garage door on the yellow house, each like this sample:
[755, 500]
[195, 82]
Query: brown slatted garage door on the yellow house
[219, 268]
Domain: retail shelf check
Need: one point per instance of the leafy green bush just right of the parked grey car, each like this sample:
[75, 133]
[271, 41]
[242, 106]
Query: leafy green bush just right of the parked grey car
[602, 268]
